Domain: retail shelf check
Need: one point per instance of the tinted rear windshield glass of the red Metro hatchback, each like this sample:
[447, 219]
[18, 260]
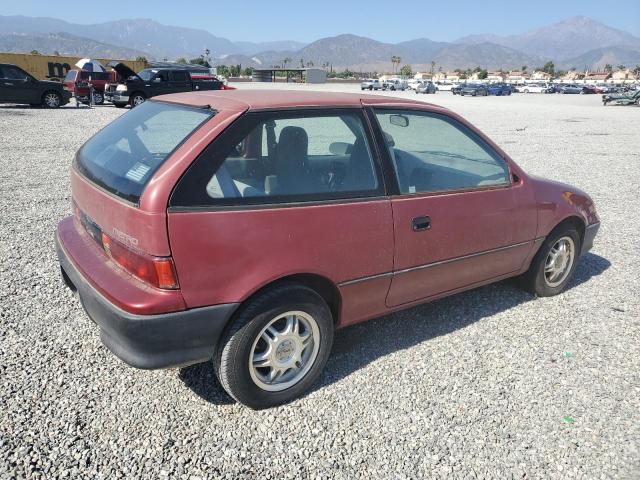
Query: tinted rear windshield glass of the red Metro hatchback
[124, 155]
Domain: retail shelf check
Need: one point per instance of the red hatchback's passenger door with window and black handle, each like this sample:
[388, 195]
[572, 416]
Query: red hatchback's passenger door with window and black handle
[459, 218]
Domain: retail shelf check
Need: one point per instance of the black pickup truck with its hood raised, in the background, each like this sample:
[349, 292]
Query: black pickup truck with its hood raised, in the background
[134, 88]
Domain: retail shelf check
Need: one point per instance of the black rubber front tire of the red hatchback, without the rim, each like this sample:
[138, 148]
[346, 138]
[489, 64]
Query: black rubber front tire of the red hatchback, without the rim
[536, 280]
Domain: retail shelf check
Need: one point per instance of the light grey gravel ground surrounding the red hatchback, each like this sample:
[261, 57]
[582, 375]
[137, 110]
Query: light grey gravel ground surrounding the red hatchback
[489, 383]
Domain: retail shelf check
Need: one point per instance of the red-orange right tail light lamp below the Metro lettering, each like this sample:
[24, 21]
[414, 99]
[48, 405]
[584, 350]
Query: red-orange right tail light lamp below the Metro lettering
[157, 271]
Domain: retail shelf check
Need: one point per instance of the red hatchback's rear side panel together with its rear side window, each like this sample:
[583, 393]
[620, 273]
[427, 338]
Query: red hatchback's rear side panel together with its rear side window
[280, 193]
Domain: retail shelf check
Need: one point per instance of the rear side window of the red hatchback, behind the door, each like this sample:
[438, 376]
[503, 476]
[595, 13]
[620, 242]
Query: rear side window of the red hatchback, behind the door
[279, 158]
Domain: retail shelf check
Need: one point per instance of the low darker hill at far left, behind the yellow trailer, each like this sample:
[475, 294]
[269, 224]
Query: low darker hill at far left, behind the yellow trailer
[65, 44]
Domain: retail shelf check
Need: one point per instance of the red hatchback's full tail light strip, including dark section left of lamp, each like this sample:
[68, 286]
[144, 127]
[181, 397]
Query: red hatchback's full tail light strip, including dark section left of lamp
[157, 271]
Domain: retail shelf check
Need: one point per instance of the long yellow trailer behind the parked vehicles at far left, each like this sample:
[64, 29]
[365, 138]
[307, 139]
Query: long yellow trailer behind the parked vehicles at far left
[55, 67]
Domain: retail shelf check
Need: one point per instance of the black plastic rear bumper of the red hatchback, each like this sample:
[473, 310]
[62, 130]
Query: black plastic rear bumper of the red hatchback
[149, 341]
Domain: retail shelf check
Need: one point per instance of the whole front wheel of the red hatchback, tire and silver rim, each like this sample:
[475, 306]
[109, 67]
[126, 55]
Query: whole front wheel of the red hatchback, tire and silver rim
[555, 263]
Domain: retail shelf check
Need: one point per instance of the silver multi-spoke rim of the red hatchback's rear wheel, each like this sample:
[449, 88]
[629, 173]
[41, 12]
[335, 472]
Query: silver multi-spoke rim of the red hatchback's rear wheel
[284, 351]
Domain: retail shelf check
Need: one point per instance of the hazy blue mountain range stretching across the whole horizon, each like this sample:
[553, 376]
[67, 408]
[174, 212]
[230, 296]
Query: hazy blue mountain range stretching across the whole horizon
[578, 42]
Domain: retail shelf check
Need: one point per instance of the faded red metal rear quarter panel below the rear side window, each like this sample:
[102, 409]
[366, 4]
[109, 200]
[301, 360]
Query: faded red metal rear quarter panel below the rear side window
[225, 256]
